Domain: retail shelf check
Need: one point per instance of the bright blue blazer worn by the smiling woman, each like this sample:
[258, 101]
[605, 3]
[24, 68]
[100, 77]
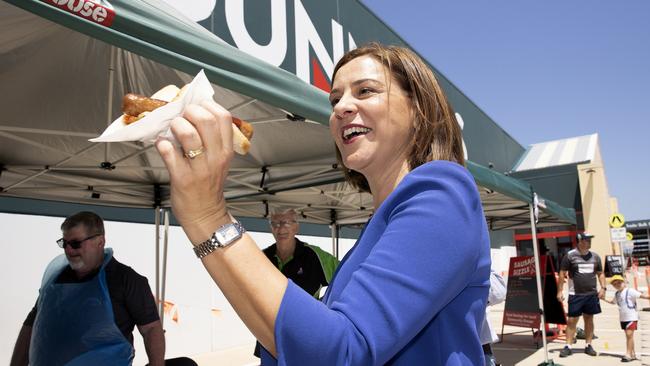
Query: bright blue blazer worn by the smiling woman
[413, 289]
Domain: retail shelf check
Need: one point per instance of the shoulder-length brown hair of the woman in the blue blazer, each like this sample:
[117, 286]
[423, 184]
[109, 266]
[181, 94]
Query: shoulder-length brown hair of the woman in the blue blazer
[437, 135]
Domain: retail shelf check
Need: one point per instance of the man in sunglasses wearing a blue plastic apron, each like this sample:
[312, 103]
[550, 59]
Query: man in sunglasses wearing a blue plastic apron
[88, 305]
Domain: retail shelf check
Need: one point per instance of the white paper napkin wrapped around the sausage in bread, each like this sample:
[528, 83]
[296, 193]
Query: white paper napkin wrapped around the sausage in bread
[156, 123]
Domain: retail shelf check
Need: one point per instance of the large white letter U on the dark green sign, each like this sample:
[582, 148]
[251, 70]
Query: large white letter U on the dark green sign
[274, 52]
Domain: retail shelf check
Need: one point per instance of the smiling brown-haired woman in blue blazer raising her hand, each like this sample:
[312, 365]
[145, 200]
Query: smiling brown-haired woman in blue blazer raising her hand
[413, 289]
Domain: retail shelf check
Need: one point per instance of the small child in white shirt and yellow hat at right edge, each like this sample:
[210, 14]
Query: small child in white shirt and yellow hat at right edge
[626, 298]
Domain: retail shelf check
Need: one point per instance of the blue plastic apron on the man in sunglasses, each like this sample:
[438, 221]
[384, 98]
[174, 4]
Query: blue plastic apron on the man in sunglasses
[75, 324]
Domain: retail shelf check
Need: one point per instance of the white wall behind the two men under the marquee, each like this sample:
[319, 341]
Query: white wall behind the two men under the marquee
[205, 321]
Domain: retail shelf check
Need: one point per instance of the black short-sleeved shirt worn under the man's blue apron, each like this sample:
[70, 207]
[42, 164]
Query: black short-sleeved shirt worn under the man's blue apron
[133, 302]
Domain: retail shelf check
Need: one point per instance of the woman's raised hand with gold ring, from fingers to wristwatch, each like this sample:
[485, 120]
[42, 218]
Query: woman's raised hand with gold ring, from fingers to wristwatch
[197, 183]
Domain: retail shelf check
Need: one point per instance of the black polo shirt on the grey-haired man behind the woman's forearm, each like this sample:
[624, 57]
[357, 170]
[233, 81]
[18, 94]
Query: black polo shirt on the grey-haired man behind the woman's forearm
[304, 268]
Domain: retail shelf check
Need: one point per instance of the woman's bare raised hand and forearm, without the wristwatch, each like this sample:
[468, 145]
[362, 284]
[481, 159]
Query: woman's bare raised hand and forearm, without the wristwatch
[198, 202]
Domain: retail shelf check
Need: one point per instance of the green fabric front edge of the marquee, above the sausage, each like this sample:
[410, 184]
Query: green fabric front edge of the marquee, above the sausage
[156, 31]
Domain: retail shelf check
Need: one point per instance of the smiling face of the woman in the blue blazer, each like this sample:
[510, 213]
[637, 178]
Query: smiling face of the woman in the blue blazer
[371, 120]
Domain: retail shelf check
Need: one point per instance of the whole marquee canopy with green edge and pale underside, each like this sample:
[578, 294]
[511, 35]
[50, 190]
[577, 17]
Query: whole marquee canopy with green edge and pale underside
[62, 77]
